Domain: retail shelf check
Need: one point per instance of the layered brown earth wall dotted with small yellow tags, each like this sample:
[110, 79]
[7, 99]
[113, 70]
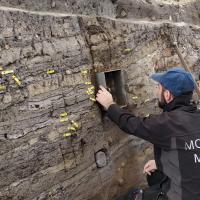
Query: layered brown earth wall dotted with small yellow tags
[55, 141]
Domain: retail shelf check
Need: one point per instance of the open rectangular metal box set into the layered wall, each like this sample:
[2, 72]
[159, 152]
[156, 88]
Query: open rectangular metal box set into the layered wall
[114, 81]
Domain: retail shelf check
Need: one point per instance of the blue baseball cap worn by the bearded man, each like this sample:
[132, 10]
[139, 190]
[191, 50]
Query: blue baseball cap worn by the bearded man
[176, 80]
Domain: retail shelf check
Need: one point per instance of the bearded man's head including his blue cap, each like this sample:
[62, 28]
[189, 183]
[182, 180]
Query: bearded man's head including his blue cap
[173, 83]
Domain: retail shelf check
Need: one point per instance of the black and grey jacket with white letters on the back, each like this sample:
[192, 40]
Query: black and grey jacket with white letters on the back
[176, 137]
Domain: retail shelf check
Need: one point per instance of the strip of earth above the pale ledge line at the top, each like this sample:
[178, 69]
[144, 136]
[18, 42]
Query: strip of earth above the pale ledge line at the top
[180, 10]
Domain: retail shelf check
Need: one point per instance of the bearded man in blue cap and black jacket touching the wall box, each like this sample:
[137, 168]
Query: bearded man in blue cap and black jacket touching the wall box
[175, 132]
